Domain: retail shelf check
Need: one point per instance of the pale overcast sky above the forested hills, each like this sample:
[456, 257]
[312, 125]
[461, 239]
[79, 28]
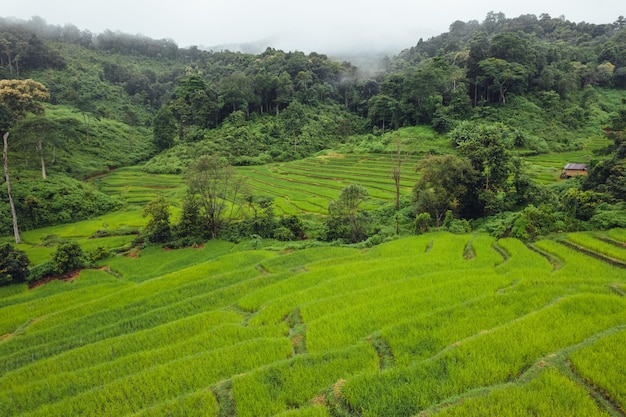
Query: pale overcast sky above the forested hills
[324, 26]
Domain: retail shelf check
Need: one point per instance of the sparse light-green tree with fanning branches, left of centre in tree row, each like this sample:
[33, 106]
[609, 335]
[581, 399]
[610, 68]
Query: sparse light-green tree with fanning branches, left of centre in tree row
[218, 190]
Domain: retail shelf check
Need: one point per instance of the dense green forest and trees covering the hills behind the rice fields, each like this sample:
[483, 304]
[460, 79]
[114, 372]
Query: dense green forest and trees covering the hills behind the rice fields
[497, 89]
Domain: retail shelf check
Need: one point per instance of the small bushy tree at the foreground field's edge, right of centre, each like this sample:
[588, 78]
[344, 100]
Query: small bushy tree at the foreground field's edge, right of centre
[345, 218]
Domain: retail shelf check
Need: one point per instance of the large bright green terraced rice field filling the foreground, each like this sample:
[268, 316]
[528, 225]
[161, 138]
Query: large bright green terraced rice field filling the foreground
[436, 324]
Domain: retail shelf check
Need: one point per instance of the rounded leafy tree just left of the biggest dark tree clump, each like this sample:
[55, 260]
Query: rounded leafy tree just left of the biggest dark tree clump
[447, 183]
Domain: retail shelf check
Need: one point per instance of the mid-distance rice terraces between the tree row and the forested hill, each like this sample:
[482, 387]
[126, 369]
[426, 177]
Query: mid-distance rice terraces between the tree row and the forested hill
[308, 185]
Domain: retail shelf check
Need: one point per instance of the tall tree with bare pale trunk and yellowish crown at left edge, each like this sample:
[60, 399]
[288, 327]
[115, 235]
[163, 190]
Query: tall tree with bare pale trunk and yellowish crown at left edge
[17, 98]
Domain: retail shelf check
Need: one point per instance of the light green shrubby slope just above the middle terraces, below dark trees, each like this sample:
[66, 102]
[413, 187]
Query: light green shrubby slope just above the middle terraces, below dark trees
[297, 132]
